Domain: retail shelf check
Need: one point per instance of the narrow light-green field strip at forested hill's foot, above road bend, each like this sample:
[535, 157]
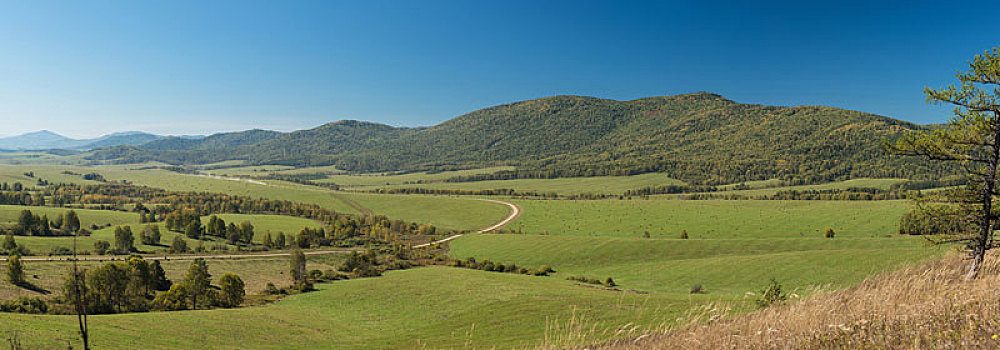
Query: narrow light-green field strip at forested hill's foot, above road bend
[565, 186]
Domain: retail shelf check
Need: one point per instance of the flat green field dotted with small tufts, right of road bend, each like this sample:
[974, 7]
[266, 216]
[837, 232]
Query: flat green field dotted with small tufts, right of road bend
[710, 218]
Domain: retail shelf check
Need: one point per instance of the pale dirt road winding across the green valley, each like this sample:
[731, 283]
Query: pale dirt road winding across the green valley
[515, 211]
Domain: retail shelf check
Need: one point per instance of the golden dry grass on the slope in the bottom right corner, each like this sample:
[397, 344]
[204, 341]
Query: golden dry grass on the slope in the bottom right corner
[924, 307]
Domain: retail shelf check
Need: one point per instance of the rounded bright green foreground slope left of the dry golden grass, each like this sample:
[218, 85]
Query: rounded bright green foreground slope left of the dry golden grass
[429, 307]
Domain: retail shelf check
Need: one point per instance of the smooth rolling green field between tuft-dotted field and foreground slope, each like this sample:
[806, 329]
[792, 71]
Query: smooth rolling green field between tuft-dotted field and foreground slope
[726, 267]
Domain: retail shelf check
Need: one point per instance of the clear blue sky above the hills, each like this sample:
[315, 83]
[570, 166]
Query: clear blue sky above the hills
[84, 68]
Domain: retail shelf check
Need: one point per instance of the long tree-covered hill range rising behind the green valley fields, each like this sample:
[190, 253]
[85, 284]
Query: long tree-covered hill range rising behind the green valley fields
[701, 138]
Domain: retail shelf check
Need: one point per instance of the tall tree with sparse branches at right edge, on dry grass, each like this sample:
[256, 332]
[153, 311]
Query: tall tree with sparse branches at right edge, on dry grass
[971, 138]
